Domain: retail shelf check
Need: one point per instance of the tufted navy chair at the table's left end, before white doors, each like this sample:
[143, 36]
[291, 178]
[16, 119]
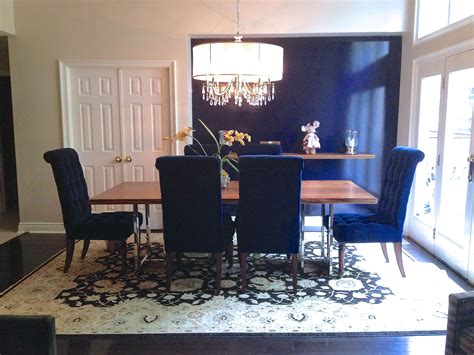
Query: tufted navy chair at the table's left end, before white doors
[79, 221]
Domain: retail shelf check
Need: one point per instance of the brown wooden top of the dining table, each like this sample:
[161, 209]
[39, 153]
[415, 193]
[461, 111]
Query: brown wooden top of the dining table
[312, 191]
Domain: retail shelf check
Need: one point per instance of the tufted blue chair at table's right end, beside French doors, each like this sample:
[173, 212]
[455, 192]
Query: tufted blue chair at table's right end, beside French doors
[387, 224]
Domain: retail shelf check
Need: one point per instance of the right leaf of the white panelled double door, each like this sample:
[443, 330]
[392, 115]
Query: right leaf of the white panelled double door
[146, 120]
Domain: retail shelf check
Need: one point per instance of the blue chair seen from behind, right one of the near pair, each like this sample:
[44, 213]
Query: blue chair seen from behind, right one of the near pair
[268, 220]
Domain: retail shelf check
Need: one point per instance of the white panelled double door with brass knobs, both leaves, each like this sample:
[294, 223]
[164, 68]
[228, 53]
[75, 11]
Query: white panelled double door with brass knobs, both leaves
[118, 118]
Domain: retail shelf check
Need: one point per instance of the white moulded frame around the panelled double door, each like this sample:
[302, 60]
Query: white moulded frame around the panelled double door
[65, 67]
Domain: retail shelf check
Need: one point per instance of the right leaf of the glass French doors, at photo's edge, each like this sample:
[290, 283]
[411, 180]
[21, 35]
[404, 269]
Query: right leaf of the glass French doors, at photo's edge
[453, 235]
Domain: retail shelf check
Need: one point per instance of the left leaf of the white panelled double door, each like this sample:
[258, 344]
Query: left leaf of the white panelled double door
[96, 127]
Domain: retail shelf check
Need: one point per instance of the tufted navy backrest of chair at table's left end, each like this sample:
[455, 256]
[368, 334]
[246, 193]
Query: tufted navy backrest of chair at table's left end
[71, 185]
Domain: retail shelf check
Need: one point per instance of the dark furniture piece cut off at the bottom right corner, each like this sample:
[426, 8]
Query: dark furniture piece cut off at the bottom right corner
[460, 316]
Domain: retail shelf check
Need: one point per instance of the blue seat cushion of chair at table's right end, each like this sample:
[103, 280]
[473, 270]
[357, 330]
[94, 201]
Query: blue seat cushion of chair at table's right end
[359, 228]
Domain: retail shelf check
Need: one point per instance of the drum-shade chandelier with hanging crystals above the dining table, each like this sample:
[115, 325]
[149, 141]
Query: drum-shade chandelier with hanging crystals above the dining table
[238, 70]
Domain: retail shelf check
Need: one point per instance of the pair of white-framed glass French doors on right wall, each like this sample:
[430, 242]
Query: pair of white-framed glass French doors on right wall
[444, 189]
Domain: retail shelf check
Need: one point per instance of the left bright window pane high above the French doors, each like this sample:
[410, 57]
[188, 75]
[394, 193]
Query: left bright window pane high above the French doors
[432, 16]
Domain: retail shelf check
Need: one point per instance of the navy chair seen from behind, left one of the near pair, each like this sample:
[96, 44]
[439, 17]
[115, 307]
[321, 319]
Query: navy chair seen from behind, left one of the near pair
[192, 209]
